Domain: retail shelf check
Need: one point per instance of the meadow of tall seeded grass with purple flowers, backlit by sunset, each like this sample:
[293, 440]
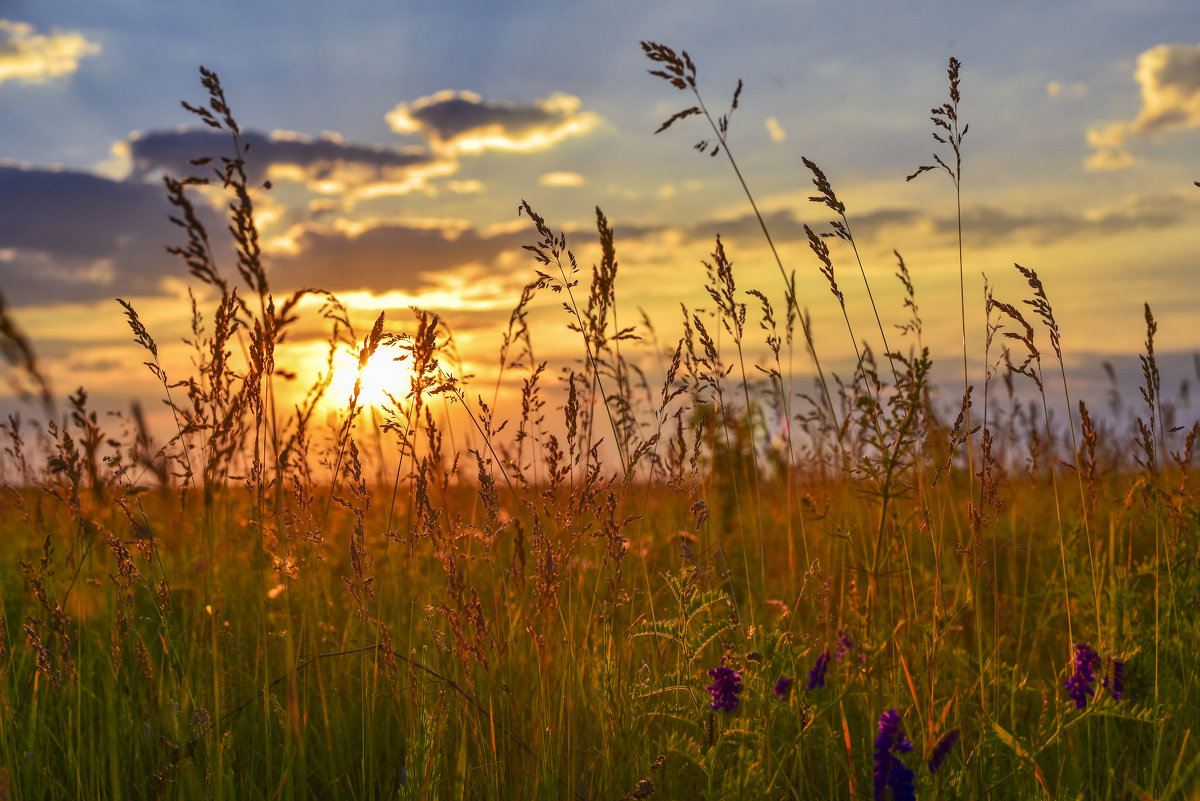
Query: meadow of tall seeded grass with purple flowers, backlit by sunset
[639, 585]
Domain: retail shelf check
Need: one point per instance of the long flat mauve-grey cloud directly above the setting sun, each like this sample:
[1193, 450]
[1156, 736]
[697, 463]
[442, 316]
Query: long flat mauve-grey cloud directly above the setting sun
[389, 257]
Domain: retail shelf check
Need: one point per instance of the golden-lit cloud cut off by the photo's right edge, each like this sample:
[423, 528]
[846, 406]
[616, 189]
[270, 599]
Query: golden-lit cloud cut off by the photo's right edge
[1169, 77]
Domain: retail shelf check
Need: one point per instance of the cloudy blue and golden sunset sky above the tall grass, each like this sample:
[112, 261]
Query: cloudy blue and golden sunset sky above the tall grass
[399, 140]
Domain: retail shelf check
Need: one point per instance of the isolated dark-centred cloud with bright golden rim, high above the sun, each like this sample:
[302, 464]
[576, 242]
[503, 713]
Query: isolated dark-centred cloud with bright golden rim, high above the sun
[463, 123]
